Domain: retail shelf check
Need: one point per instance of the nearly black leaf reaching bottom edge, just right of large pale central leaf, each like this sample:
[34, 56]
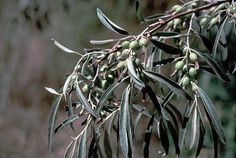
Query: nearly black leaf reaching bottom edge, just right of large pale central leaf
[147, 138]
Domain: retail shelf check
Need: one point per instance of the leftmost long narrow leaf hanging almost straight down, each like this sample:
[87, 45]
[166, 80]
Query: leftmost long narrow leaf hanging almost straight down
[52, 119]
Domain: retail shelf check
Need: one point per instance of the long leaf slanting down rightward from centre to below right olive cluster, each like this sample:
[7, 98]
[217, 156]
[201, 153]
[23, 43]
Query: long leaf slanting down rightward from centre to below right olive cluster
[169, 83]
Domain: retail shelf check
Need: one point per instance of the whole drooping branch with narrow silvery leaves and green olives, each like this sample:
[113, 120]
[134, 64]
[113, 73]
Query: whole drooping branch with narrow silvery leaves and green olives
[121, 80]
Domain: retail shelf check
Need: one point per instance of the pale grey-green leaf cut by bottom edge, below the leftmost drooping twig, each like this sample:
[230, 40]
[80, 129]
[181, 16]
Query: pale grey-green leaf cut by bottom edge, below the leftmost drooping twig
[83, 145]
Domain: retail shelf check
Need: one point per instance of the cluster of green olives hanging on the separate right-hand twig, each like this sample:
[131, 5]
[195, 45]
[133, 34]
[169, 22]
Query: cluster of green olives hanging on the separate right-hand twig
[191, 72]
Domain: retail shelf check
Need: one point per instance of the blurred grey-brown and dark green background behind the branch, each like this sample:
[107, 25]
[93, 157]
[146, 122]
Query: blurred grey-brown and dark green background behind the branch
[30, 61]
